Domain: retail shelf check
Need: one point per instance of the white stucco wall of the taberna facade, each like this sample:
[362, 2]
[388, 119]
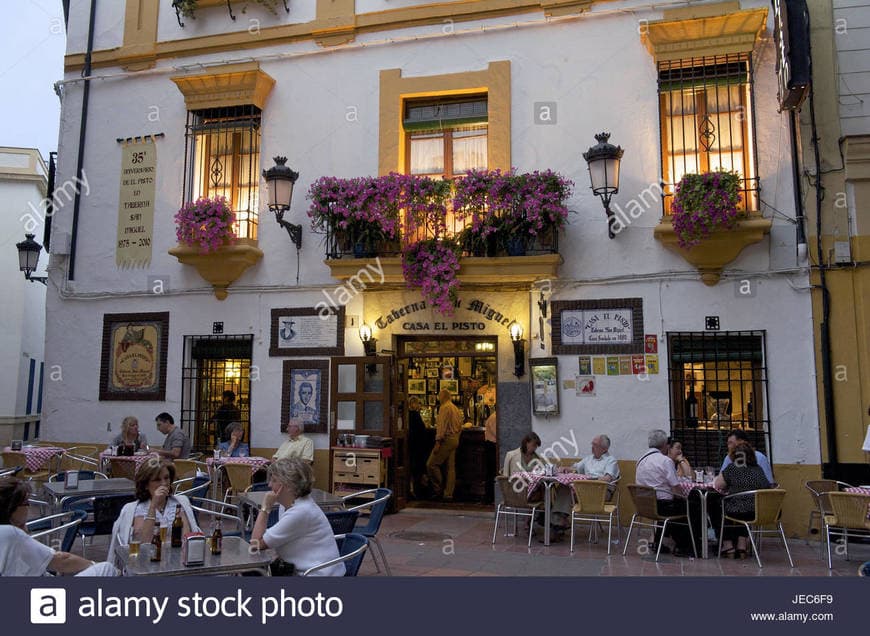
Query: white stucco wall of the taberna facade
[600, 77]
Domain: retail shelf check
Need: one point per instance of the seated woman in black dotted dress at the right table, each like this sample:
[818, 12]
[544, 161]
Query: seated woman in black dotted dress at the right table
[741, 475]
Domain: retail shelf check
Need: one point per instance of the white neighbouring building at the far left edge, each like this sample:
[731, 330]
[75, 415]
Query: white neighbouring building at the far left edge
[23, 188]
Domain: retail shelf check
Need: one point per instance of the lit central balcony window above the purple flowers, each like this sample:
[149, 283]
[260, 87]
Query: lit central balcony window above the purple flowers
[445, 138]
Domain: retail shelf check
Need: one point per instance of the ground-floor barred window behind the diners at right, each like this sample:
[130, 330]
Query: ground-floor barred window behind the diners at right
[718, 382]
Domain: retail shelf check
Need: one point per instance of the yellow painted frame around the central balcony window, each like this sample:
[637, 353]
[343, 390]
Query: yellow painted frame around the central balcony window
[495, 81]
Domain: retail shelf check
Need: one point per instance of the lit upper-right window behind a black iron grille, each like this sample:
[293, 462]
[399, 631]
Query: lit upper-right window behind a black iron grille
[707, 121]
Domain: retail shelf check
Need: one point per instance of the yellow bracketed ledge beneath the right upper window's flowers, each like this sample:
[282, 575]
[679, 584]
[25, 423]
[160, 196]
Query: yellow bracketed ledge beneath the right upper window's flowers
[718, 249]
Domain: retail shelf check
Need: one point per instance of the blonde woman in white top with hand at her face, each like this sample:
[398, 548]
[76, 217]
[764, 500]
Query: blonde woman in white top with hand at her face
[302, 535]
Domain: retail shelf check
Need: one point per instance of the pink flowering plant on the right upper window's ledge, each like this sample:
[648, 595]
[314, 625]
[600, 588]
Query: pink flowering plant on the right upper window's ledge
[704, 203]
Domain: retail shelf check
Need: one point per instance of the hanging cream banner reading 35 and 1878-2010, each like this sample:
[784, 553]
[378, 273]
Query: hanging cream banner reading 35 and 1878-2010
[136, 204]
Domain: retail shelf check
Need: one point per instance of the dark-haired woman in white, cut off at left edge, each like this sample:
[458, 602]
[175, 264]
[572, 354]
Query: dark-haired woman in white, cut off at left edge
[22, 555]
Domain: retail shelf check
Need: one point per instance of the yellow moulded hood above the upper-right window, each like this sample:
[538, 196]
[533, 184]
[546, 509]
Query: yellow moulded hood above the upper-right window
[735, 32]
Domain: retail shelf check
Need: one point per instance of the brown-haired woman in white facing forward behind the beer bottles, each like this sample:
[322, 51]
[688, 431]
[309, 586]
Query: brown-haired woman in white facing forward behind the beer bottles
[153, 508]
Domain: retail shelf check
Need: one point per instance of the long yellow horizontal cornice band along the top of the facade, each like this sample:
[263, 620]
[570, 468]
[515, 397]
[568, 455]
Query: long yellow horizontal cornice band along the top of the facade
[324, 27]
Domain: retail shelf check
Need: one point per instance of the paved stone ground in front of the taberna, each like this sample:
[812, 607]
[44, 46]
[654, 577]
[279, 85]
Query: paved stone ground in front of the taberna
[422, 542]
